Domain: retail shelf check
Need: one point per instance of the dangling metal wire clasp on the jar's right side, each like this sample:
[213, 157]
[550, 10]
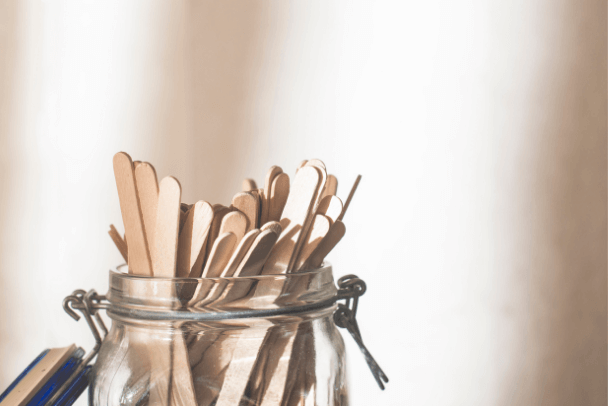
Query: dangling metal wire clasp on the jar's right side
[350, 288]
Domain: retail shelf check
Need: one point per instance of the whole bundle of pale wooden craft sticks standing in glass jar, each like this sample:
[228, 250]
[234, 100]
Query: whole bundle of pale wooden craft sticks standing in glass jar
[282, 227]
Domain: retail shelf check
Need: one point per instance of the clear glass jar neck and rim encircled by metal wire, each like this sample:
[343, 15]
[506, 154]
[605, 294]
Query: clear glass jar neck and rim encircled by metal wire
[275, 298]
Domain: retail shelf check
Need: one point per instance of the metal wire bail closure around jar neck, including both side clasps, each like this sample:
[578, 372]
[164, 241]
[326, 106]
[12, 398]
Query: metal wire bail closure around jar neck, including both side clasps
[350, 288]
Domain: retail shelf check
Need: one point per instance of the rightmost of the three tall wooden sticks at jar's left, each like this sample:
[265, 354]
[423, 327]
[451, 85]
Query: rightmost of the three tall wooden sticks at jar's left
[164, 254]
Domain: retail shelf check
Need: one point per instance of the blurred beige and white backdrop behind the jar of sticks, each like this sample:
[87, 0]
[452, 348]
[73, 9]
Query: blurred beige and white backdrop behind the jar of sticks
[479, 128]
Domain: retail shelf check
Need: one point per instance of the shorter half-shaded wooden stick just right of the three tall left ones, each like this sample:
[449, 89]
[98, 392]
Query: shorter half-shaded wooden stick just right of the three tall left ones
[192, 239]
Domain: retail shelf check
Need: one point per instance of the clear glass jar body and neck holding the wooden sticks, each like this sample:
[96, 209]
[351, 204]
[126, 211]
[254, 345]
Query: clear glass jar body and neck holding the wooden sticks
[264, 340]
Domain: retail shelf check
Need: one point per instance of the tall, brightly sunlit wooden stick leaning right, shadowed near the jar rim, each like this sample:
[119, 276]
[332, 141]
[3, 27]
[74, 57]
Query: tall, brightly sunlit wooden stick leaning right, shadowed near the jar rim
[296, 211]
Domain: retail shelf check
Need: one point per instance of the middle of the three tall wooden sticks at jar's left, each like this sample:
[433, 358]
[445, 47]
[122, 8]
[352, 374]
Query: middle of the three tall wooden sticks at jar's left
[147, 191]
